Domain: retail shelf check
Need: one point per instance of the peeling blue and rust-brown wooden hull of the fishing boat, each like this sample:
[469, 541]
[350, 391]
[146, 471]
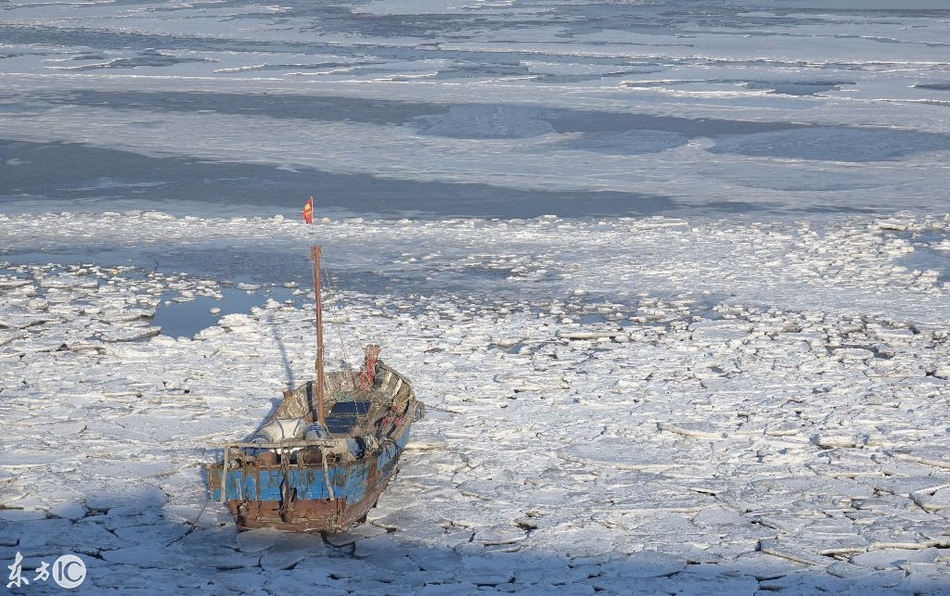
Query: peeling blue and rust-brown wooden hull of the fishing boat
[301, 485]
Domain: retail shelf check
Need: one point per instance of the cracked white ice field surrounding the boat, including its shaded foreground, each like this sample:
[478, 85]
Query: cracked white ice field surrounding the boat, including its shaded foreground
[688, 406]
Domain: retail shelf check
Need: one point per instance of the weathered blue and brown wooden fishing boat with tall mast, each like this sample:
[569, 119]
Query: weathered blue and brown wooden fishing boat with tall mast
[323, 457]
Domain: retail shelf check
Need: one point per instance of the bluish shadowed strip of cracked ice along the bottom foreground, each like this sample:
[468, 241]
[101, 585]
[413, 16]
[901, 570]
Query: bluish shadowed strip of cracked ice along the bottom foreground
[152, 541]
